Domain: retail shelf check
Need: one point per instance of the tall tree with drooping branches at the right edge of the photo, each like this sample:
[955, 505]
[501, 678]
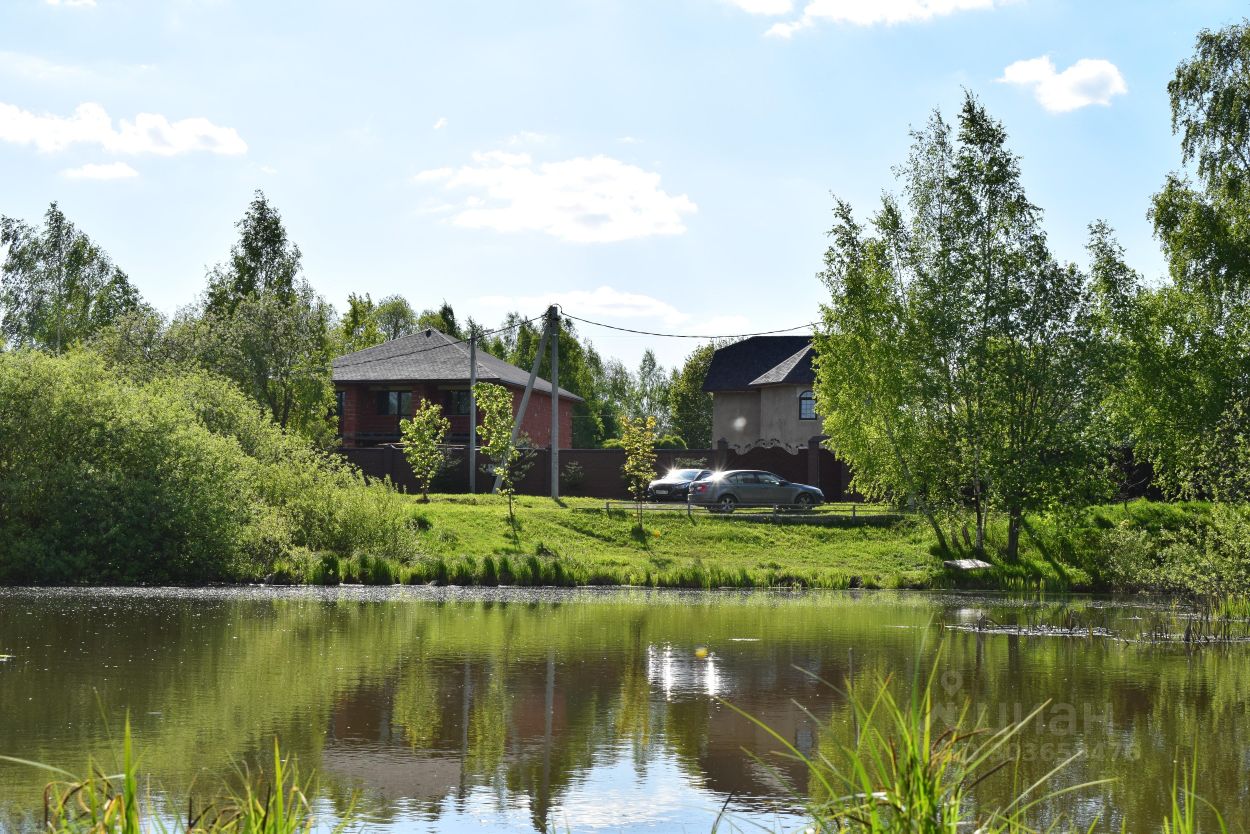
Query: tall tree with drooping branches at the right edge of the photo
[1189, 378]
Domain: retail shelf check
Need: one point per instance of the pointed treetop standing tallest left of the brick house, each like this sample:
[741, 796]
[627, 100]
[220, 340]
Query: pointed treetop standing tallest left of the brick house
[264, 262]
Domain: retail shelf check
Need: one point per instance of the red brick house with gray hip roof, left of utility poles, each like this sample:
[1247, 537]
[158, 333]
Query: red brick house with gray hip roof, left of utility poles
[379, 387]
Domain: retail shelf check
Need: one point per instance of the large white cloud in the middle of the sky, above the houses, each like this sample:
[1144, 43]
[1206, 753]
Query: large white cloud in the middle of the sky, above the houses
[596, 199]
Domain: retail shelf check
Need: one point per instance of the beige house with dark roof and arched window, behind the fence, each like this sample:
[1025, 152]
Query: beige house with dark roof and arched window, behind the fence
[763, 396]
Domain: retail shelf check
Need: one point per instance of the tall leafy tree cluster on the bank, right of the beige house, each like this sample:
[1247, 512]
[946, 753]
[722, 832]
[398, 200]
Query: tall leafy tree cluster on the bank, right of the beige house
[958, 363]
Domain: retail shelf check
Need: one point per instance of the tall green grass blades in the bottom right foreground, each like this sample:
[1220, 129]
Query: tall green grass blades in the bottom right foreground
[904, 772]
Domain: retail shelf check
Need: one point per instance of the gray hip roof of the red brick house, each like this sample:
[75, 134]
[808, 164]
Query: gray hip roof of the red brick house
[431, 357]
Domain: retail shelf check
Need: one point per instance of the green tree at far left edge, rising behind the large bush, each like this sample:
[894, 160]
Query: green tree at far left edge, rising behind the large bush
[57, 287]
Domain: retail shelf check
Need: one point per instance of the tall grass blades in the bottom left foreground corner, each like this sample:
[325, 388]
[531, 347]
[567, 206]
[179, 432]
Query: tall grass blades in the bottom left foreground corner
[277, 803]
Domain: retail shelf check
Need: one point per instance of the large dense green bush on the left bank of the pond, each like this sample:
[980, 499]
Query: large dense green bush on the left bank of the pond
[108, 480]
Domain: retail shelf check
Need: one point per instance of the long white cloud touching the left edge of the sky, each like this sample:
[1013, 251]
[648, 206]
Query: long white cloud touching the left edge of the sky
[92, 126]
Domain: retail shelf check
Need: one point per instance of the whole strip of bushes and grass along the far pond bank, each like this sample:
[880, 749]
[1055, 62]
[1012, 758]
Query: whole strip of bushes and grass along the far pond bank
[179, 480]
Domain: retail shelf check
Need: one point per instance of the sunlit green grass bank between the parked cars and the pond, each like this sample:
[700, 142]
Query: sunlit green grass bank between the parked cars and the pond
[468, 541]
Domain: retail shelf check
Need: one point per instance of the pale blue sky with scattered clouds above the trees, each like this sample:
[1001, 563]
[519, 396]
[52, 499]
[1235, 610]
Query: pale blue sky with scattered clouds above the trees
[658, 164]
